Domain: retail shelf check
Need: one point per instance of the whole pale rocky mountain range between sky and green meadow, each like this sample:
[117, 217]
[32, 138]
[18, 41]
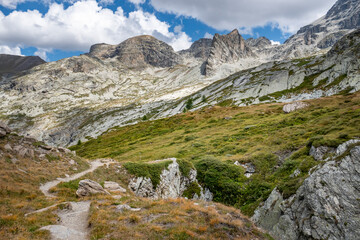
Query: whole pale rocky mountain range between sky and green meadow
[143, 78]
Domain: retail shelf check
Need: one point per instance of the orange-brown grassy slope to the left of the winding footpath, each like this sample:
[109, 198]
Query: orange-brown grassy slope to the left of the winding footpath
[19, 189]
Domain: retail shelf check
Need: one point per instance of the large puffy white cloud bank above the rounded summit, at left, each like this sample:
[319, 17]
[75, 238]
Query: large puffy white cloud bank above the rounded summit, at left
[82, 24]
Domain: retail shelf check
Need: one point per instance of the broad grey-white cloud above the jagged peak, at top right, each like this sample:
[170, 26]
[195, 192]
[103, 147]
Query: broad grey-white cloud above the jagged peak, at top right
[289, 15]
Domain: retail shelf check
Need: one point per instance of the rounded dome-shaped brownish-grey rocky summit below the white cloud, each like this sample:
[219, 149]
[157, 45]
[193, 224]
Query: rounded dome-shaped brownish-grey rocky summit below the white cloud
[138, 52]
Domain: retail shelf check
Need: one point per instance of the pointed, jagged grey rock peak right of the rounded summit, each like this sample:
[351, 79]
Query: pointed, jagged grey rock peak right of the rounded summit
[228, 48]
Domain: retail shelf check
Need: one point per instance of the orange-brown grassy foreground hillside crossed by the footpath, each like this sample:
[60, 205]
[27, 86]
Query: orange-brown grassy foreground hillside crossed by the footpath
[25, 212]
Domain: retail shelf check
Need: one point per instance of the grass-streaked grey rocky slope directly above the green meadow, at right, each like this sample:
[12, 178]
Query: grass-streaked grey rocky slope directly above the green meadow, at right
[285, 81]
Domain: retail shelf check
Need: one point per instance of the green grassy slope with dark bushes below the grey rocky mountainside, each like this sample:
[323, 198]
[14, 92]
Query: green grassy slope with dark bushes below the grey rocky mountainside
[261, 134]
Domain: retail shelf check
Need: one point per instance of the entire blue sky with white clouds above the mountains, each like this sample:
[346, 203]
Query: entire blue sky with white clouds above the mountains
[55, 29]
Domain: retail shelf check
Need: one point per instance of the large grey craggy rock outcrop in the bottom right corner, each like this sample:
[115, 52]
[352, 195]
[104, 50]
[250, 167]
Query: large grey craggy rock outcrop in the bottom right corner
[326, 206]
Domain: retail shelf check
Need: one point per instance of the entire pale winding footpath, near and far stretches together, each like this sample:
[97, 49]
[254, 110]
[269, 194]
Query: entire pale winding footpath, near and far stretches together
[73, 223]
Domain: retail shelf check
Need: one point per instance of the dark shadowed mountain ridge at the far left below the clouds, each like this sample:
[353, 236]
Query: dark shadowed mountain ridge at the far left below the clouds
[15, 64]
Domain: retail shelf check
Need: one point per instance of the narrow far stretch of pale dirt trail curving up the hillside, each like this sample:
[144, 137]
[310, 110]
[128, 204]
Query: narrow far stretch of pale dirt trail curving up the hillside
[94, 165]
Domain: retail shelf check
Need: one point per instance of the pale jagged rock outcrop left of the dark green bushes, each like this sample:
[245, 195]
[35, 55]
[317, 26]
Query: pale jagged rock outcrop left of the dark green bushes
[172, 184]
